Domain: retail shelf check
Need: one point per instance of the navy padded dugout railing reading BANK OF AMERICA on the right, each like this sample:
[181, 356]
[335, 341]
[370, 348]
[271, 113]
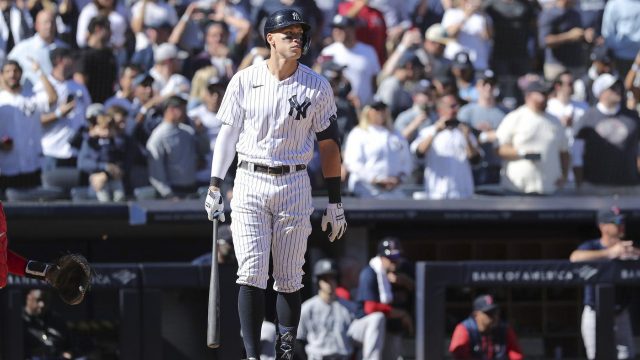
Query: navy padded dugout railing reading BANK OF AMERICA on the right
[433, 278]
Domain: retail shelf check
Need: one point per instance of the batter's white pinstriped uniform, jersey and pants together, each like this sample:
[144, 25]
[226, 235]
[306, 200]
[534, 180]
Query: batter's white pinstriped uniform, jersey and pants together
[279, 120]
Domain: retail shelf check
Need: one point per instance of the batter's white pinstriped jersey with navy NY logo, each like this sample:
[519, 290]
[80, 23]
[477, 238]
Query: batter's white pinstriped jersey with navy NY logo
[279, 119]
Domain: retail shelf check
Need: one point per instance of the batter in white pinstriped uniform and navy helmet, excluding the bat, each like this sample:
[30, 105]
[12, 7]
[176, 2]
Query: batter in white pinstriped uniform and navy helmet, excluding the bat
[271, 113]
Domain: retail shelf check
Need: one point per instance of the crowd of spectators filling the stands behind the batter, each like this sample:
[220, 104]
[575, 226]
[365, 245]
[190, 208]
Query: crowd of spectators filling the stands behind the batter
[437, 99]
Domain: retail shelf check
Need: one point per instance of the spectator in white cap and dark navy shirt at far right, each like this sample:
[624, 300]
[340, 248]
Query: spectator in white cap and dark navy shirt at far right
[605, 151]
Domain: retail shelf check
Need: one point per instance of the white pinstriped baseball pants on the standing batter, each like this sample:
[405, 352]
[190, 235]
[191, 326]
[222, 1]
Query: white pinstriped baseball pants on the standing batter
[270, 215]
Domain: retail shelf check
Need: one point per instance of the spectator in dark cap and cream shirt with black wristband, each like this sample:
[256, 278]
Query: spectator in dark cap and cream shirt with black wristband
[534, 146]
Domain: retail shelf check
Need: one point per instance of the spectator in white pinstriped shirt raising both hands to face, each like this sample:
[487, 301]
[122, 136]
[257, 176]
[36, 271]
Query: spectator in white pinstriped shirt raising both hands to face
[447, 146]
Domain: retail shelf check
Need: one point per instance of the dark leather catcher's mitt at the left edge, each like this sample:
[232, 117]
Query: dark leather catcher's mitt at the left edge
[71, 277]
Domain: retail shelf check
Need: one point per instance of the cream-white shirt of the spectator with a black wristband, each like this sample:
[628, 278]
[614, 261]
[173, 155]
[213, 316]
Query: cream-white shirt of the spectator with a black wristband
[531, 132]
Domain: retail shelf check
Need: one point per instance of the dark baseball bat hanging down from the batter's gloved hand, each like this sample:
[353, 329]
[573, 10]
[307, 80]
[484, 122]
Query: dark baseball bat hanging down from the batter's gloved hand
[213, 315]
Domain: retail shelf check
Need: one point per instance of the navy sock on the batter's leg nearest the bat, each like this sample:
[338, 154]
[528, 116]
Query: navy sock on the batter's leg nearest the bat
[251, 311]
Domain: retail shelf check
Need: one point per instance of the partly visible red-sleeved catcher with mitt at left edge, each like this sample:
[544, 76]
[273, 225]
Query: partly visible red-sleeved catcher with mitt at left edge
[70, 275]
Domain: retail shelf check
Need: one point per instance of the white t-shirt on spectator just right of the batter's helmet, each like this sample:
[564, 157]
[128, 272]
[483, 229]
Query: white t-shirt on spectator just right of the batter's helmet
[361, 64]
